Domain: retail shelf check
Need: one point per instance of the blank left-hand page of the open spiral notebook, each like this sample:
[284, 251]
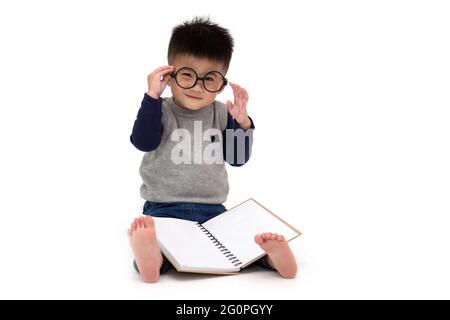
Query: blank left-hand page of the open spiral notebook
[185, 242]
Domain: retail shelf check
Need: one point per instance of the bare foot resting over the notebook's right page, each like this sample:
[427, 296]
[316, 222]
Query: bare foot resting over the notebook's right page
[279, 254]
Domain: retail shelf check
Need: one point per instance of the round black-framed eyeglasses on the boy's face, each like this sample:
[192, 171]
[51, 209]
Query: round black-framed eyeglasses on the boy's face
[187, 78]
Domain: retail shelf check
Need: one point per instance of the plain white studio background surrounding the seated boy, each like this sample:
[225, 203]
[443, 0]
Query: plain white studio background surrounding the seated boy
[351, 103]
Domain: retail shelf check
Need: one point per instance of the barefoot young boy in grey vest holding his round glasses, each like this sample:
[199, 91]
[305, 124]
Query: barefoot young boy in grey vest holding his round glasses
[184, 179]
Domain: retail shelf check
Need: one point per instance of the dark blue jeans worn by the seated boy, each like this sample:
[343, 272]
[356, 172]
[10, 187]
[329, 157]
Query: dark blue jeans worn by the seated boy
[187, 211]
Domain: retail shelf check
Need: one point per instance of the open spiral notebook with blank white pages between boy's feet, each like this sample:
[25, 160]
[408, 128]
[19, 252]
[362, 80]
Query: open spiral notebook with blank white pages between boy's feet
[224, 244]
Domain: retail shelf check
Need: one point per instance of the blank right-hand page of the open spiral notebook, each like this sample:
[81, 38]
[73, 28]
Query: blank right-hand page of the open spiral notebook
[237, 227]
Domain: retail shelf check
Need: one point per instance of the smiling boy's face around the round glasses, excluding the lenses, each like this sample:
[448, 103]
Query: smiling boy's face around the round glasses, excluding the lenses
[196, 97]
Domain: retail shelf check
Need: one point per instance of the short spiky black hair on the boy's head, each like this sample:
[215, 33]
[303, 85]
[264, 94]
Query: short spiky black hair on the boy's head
[201, 38]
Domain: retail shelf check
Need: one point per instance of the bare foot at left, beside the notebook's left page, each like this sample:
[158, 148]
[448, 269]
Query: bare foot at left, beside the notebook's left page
[146, 251]
